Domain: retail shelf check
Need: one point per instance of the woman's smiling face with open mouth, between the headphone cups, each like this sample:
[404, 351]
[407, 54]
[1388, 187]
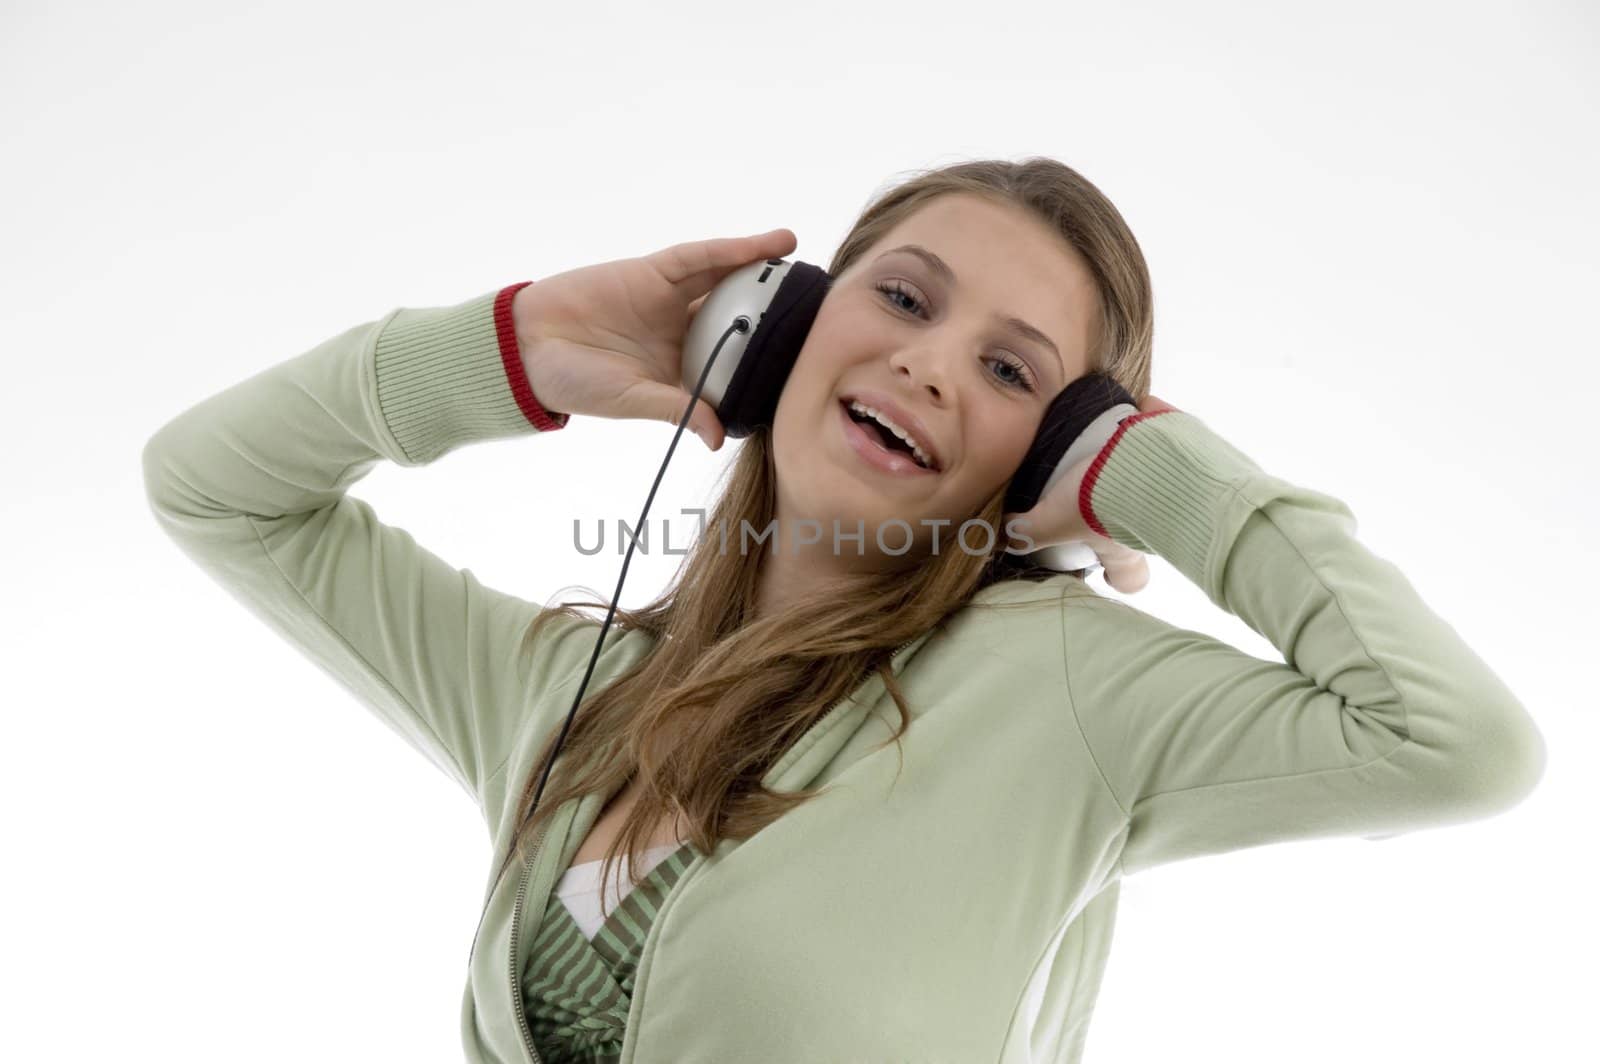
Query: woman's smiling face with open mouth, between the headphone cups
[937, 348]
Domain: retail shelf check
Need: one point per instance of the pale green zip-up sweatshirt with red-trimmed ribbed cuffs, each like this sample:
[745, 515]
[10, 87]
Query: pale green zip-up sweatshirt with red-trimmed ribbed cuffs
[946, 900]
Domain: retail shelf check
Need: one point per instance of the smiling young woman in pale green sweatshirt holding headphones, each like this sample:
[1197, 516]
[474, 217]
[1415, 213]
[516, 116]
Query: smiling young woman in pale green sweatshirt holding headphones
[798, 890]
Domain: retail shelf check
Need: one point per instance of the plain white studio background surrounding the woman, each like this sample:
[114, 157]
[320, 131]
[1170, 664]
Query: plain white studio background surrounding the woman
[1372, 234]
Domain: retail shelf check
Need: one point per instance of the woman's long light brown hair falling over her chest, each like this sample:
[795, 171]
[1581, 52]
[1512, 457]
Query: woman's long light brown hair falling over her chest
[721, 697]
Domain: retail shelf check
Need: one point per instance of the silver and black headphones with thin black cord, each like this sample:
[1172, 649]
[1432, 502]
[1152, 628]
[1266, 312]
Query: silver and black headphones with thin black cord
[762, 314]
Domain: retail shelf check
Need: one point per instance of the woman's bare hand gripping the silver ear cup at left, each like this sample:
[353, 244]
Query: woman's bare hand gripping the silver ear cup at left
[607, 340]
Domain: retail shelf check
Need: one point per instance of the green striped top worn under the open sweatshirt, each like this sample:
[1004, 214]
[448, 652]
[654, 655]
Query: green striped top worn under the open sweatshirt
[577, 991]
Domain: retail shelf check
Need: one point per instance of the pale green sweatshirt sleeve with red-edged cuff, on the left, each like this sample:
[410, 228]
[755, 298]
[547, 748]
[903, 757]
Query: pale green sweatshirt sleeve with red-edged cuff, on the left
[252, 486]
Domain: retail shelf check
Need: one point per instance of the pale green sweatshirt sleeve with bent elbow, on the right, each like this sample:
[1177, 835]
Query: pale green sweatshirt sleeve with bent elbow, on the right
[1380, 719]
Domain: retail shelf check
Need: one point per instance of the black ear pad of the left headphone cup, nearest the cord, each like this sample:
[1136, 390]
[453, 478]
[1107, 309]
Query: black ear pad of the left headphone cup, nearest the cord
[751, 399]
